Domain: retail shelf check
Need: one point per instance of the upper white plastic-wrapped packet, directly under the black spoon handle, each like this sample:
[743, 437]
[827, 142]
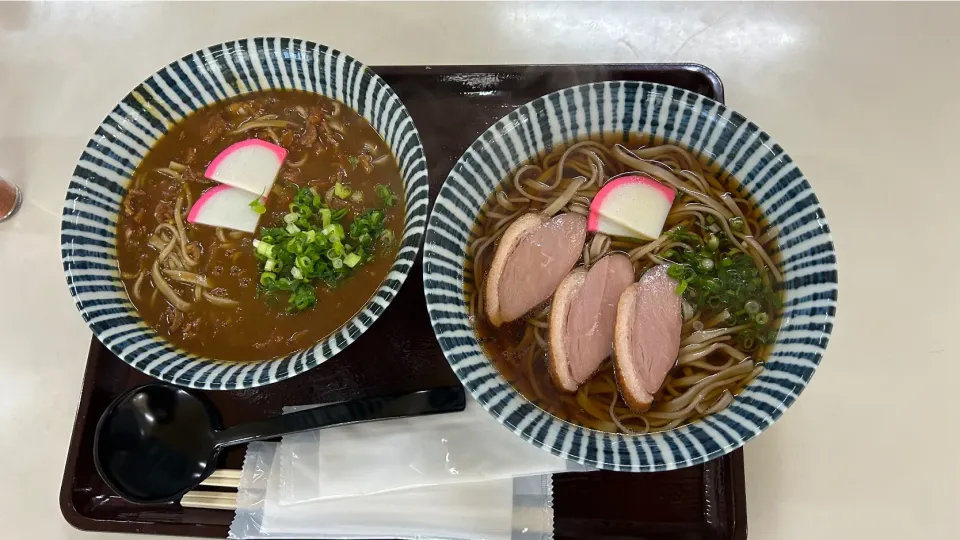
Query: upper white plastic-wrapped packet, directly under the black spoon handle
[468, 446]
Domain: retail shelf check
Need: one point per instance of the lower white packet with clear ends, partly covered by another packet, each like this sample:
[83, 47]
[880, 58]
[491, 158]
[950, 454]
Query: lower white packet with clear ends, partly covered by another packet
[506, 509]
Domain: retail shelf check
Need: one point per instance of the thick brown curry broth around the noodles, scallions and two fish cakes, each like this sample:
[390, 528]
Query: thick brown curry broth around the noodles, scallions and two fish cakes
[259, 328]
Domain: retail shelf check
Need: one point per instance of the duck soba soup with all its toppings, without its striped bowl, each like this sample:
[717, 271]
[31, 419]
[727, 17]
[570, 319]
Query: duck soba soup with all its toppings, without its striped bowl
[625, 287]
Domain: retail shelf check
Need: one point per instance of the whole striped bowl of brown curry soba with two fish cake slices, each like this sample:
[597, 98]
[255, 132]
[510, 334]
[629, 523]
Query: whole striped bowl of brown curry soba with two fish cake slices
[245, 213]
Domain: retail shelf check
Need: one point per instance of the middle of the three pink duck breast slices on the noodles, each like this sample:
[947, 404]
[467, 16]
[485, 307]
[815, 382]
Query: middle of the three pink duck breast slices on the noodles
[582, 318]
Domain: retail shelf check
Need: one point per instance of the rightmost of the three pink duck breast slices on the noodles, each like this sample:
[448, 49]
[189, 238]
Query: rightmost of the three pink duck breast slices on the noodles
[646, 336]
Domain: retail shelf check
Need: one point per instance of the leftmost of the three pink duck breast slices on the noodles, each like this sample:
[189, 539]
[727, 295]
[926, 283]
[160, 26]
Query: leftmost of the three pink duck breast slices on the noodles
[532, 258]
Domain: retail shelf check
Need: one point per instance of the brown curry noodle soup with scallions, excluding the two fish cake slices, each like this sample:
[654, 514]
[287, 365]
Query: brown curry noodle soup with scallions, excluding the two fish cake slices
[210, 290]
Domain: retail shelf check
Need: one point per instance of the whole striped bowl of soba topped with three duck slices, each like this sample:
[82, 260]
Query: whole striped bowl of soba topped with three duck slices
[630, 275]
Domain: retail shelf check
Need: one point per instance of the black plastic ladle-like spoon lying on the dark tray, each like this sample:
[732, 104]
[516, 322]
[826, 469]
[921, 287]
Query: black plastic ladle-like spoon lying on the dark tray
[156, 442]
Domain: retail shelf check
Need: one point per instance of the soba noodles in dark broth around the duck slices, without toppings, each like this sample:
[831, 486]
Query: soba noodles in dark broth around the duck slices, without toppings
[715, 361]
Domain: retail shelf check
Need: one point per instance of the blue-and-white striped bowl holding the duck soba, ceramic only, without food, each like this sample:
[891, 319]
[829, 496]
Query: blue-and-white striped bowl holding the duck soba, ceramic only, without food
[767, 173]
